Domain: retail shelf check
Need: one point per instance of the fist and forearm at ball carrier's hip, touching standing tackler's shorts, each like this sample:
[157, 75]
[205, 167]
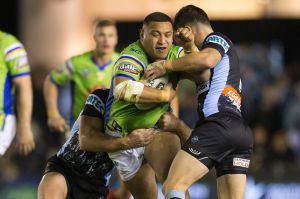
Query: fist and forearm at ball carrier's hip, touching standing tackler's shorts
[169, 122]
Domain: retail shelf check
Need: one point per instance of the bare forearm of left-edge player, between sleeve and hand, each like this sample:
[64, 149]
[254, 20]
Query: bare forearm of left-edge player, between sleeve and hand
[24, 102]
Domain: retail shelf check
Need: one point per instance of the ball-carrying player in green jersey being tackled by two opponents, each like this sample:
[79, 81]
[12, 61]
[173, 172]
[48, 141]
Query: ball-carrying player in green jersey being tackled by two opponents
[122, 116]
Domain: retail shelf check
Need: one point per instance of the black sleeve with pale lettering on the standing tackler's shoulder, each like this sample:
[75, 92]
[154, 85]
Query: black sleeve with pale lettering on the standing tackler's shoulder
[217, 41]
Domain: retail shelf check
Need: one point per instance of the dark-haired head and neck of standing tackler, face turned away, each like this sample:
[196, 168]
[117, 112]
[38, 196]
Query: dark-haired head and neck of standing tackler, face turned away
[194, 17]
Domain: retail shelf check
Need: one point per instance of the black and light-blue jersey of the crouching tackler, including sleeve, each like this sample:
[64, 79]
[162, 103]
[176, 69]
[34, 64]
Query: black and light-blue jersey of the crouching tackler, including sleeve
[93, 165]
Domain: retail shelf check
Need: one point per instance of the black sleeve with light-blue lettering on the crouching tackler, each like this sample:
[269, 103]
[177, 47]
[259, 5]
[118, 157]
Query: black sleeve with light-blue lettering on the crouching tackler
[95, 104]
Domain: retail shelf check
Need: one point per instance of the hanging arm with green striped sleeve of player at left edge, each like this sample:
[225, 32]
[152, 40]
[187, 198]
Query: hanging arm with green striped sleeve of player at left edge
[19, 70]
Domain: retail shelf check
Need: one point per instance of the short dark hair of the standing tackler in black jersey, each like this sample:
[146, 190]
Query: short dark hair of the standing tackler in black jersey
[190, 14]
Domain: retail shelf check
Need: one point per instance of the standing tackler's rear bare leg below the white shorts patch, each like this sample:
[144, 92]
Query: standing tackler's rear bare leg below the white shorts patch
[231, 186]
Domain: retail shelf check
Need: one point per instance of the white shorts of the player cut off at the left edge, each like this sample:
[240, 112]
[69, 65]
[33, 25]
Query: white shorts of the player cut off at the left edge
[7, 132]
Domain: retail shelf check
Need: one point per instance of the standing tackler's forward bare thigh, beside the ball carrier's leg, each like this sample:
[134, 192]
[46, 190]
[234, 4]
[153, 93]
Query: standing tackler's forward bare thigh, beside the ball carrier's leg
[184, 171]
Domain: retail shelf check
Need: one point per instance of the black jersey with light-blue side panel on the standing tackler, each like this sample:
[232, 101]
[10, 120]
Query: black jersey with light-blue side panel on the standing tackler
[222, 93]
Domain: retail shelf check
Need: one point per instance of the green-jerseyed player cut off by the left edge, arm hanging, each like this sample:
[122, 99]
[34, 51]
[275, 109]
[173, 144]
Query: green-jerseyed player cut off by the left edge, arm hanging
[15, 76]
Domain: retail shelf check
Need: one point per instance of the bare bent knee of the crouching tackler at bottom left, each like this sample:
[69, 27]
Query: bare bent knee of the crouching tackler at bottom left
[53, 186]
